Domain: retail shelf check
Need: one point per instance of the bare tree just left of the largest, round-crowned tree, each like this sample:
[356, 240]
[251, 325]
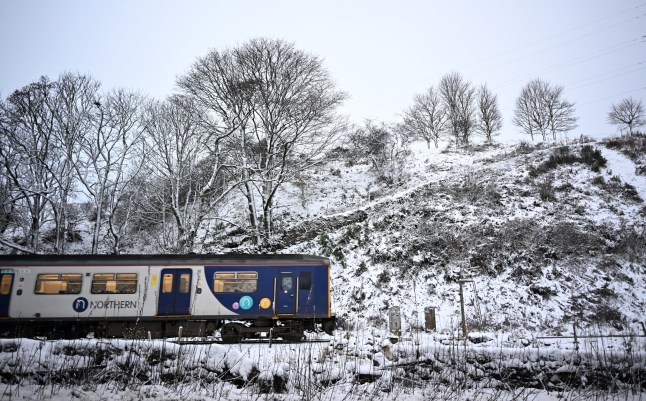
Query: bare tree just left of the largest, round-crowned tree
[187, 169]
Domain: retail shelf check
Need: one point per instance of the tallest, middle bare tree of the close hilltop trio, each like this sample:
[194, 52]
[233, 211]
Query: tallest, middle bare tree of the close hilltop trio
[459, 100]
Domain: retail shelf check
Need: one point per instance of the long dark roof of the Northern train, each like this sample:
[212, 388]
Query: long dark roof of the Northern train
[158, 259]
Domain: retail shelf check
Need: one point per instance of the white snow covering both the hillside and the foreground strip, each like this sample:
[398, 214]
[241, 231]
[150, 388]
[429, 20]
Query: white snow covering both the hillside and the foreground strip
[513, 314]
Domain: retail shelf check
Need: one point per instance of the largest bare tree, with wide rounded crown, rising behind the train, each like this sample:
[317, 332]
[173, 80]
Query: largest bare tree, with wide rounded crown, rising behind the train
[280, 105]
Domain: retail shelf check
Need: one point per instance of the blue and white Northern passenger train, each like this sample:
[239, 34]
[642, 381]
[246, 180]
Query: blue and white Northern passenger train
[244, 296]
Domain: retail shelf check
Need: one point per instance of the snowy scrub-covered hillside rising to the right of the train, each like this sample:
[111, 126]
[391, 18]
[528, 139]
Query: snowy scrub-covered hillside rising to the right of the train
[549, 234]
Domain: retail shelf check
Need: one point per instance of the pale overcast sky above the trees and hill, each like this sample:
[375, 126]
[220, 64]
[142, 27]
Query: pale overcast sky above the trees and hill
[381, 53]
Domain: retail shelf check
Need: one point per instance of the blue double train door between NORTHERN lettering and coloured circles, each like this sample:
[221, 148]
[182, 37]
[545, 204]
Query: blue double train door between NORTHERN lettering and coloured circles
[175, 292]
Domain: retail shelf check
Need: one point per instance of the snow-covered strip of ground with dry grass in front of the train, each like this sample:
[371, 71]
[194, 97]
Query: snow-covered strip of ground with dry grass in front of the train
[349, 366]
